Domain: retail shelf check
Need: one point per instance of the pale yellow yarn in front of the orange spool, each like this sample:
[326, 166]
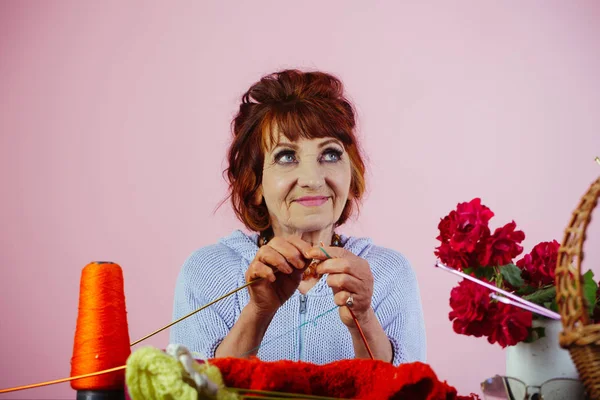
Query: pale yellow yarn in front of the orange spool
[152, 374]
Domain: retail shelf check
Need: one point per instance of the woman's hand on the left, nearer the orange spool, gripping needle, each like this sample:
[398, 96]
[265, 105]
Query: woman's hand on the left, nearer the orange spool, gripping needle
[281, 263]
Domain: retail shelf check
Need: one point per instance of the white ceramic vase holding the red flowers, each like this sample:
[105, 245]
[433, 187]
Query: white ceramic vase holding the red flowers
[544, 359]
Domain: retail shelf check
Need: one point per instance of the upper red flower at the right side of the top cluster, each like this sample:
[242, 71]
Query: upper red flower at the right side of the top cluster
[502, 246]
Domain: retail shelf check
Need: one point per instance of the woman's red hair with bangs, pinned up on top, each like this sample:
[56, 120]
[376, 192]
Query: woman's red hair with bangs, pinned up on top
[299, 105]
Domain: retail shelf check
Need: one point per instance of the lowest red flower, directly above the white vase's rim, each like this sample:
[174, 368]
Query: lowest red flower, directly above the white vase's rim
[510, 325]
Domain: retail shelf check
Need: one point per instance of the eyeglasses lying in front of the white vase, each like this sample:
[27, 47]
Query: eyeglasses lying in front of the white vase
[508, 388]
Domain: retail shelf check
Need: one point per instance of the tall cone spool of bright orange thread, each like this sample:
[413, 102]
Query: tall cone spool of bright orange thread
[101, 335]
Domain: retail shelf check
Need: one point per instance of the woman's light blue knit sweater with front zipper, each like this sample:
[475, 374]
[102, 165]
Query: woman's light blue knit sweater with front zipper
[217, 269]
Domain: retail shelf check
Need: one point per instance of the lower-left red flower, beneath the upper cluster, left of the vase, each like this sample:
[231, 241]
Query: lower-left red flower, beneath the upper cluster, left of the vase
[470, 305]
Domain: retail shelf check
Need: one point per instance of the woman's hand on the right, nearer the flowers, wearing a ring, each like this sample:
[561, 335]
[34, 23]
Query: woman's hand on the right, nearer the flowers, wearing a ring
[349, 275]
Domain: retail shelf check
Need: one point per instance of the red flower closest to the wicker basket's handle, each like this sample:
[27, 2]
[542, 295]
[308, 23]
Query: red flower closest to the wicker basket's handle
[539, 265]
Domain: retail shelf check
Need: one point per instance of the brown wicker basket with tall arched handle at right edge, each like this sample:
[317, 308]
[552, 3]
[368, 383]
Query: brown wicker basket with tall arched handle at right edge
[580, 336]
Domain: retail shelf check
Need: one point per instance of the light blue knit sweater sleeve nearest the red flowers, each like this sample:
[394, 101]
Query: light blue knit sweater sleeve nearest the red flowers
[397, 304]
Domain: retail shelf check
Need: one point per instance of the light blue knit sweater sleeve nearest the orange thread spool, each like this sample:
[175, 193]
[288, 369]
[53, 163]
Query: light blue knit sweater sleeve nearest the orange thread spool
[206, 275]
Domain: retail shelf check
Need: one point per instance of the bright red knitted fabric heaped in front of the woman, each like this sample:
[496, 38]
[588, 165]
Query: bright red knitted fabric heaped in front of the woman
[350, 379]
